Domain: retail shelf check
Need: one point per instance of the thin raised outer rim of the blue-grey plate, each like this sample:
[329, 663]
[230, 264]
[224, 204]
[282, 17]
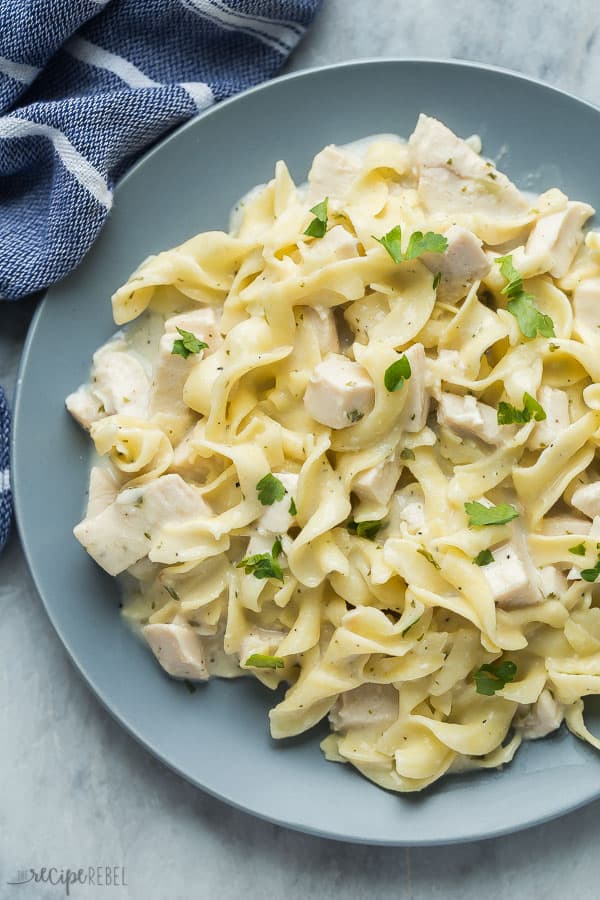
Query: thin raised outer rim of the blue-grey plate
[19, 413]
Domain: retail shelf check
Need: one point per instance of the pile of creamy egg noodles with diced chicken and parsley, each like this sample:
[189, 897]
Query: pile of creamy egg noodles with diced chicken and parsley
[353, 450]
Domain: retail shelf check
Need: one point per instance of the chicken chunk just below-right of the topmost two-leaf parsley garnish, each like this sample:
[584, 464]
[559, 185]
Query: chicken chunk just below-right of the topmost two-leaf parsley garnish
[463, 263]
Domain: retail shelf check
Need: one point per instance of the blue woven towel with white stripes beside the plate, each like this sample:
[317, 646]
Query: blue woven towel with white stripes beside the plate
[88, 85]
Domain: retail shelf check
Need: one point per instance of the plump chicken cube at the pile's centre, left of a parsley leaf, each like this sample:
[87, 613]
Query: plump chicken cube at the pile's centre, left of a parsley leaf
[339, 392]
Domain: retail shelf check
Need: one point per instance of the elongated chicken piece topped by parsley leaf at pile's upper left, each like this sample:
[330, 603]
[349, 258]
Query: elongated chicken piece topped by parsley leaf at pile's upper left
[172, 369]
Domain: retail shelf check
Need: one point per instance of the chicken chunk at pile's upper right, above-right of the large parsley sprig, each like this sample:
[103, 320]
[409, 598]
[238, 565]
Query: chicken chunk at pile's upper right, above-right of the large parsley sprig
[558, 236]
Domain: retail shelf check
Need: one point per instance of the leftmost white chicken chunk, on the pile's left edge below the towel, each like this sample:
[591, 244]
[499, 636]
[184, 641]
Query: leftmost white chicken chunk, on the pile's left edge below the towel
[119, 384]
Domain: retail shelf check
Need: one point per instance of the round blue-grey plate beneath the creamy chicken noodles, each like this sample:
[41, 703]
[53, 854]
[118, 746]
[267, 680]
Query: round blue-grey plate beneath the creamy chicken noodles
[218, 738]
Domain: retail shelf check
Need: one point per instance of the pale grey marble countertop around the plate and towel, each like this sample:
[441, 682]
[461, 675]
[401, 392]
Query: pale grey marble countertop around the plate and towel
[75, 790]
